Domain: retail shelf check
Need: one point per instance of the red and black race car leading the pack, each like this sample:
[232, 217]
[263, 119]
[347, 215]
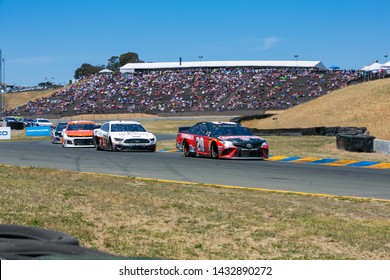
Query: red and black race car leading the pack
[224, 140]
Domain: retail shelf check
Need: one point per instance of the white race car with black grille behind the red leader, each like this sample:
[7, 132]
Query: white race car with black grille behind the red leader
[124, 135]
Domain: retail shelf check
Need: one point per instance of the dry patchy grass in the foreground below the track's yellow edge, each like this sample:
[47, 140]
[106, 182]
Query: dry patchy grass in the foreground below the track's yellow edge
[133, 217]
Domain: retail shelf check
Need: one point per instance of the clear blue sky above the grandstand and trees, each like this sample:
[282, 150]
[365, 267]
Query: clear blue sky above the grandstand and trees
[50, 39]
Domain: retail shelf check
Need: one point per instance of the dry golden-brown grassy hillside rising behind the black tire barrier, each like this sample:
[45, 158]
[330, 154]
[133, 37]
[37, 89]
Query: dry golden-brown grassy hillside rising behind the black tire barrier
[366, 105]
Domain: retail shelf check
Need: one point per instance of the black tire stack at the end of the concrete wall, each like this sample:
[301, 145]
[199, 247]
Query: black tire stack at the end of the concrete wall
[355, 142]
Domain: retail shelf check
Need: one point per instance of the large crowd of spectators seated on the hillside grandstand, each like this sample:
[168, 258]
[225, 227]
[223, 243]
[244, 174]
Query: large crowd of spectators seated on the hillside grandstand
[188, 90]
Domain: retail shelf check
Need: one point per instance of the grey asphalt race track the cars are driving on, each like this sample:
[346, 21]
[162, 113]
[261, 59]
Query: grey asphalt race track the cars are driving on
[344, 181]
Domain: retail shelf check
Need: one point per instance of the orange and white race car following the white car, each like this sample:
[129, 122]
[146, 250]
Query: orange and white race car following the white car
[78, 134]
